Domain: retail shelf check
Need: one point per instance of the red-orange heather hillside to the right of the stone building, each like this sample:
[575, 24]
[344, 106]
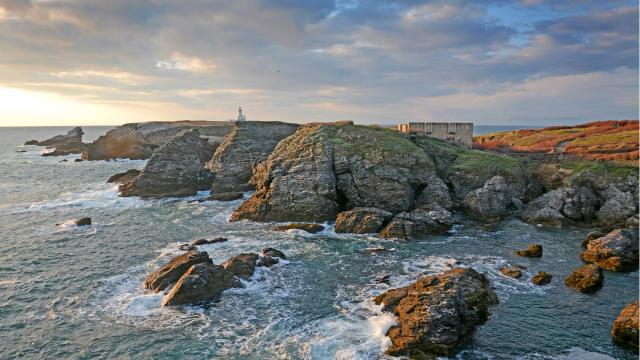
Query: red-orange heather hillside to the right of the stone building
[611, 140]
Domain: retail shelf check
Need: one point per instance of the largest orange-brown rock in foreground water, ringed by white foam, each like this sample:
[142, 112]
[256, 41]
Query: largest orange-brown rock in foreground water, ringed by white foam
[437, 313]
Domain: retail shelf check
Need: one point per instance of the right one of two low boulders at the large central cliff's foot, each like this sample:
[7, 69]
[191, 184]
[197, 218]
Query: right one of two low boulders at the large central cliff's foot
[417, 224]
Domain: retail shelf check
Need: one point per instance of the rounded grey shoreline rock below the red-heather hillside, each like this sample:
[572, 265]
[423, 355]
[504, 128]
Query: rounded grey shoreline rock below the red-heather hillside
[561, 207]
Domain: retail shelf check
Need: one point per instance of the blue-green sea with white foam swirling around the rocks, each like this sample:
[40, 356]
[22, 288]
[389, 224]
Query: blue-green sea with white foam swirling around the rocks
[68, 292]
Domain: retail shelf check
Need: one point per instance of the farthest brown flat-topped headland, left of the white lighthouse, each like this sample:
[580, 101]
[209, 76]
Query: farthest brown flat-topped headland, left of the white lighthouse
[139, 140]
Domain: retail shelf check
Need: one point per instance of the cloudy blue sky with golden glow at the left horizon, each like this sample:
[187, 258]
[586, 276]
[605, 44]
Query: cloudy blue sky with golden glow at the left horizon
[501, 62]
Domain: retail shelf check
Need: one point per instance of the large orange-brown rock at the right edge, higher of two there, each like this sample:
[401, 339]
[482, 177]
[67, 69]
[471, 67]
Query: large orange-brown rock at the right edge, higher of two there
[616, 251]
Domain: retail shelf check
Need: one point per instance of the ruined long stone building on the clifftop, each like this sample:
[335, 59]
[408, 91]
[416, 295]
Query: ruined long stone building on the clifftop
[461, 133]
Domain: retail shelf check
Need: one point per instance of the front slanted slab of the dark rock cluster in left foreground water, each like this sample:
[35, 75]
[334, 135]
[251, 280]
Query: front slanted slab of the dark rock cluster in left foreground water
[201, 282]
